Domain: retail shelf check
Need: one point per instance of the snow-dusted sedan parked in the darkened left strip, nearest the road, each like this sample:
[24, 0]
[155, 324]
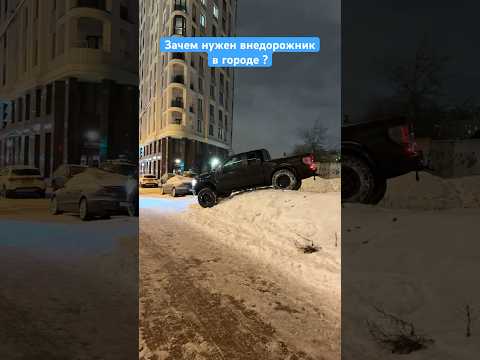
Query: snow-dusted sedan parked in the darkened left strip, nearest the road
[96, 192]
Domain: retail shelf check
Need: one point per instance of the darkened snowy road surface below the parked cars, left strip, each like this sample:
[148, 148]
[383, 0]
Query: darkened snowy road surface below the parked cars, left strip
[59, 278]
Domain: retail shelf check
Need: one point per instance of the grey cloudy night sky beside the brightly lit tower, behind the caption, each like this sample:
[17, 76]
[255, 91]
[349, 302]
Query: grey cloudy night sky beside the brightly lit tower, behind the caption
[271, 105]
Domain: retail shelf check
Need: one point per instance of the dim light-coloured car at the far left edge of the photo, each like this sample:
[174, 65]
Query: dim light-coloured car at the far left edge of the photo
[21, 179]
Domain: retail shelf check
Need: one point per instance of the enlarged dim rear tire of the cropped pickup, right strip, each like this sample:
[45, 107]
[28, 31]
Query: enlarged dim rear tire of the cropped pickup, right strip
[358, 180]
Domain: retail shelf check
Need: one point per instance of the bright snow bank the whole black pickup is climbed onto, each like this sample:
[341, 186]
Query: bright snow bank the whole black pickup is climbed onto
[295, 233]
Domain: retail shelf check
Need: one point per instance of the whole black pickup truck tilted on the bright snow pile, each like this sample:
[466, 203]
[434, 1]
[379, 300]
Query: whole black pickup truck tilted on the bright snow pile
[252, 169]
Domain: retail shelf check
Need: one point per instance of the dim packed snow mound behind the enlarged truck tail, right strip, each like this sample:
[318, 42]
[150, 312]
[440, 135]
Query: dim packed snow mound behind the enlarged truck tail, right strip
[432, 193]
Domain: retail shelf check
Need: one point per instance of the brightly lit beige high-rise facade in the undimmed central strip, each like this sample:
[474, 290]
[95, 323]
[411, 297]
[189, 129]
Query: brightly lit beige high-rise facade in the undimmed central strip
[186, 108]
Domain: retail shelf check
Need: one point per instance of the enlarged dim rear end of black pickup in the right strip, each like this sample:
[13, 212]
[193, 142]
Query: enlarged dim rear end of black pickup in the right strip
[373, 152]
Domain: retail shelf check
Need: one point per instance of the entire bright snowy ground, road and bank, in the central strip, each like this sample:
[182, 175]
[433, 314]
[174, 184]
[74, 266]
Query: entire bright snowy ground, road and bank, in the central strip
[234, 282]
